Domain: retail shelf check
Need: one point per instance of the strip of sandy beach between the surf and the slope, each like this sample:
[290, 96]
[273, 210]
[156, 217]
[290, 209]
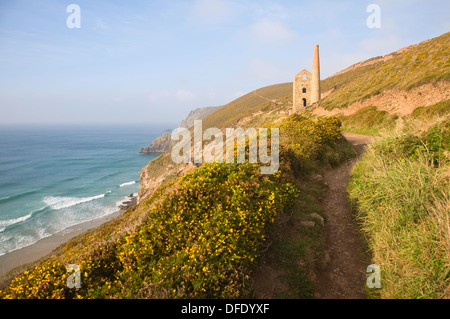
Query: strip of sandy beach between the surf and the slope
[45, 246]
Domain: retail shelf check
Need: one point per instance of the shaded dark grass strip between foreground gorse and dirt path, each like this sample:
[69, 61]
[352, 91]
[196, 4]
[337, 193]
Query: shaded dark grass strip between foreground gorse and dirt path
[295, 249]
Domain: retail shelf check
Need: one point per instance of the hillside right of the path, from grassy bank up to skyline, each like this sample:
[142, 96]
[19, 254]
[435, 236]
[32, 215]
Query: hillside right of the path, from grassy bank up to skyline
[399, 188]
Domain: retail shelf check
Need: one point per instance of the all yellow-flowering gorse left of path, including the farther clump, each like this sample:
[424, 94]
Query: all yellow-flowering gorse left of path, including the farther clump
[197, 236]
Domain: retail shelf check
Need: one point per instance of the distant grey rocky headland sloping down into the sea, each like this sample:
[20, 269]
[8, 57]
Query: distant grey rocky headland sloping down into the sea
[163, 143]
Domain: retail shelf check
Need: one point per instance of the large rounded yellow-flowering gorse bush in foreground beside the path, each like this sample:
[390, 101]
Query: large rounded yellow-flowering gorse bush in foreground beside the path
[202, 238]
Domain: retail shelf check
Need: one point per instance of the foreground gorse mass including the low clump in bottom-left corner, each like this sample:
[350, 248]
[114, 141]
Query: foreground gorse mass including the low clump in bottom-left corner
[200, 240]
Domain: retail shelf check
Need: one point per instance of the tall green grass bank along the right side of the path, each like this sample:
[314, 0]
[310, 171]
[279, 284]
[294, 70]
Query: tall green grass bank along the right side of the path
[400, 192]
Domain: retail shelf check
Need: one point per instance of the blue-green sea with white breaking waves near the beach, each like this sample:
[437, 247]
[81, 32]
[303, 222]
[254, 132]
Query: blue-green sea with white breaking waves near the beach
[52, 178]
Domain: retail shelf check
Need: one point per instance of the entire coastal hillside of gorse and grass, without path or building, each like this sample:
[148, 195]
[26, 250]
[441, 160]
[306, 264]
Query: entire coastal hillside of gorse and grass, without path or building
[222, 230]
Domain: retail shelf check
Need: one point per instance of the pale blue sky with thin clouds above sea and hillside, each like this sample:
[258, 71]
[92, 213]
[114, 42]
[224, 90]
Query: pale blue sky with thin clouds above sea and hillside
[139, 62]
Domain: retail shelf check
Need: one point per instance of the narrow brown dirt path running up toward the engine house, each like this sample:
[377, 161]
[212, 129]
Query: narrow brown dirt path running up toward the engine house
[345, 274]
